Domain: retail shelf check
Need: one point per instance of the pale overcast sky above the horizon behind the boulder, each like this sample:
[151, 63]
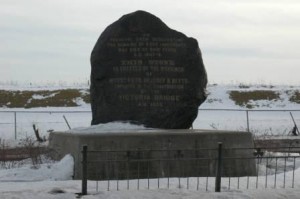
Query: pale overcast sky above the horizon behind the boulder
[253, 41]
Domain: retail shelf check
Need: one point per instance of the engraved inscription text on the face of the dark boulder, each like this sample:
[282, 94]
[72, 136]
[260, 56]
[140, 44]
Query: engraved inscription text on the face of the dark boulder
[146, 56]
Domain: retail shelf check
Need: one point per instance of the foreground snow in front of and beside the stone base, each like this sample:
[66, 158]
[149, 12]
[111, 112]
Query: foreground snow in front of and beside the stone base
[54, 180]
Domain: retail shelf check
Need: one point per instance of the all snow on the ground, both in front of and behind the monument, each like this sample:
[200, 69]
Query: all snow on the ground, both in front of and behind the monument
[54, 179]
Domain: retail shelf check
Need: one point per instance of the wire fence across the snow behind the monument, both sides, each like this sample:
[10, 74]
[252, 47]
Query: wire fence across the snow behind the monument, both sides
[18, 124]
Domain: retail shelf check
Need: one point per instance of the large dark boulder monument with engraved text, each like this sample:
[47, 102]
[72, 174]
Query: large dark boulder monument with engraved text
[145, 73]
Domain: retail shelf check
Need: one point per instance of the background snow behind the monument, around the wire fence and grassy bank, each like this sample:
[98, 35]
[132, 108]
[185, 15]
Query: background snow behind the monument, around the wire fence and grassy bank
[260, 122]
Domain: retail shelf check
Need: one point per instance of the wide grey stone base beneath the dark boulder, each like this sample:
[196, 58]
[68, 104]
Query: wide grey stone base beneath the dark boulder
[167, 153]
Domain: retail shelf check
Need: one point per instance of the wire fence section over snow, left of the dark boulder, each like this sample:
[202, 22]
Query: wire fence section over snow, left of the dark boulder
[19, 124]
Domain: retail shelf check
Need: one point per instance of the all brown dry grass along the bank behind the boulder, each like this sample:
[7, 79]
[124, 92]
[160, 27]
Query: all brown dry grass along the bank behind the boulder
[68, 97]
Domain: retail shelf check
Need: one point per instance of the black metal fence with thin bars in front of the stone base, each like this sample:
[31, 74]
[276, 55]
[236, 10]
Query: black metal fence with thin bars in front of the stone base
[271, 169]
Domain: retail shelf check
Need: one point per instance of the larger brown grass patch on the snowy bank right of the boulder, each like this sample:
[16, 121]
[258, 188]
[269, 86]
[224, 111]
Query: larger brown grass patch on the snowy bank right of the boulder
[243, 98]
